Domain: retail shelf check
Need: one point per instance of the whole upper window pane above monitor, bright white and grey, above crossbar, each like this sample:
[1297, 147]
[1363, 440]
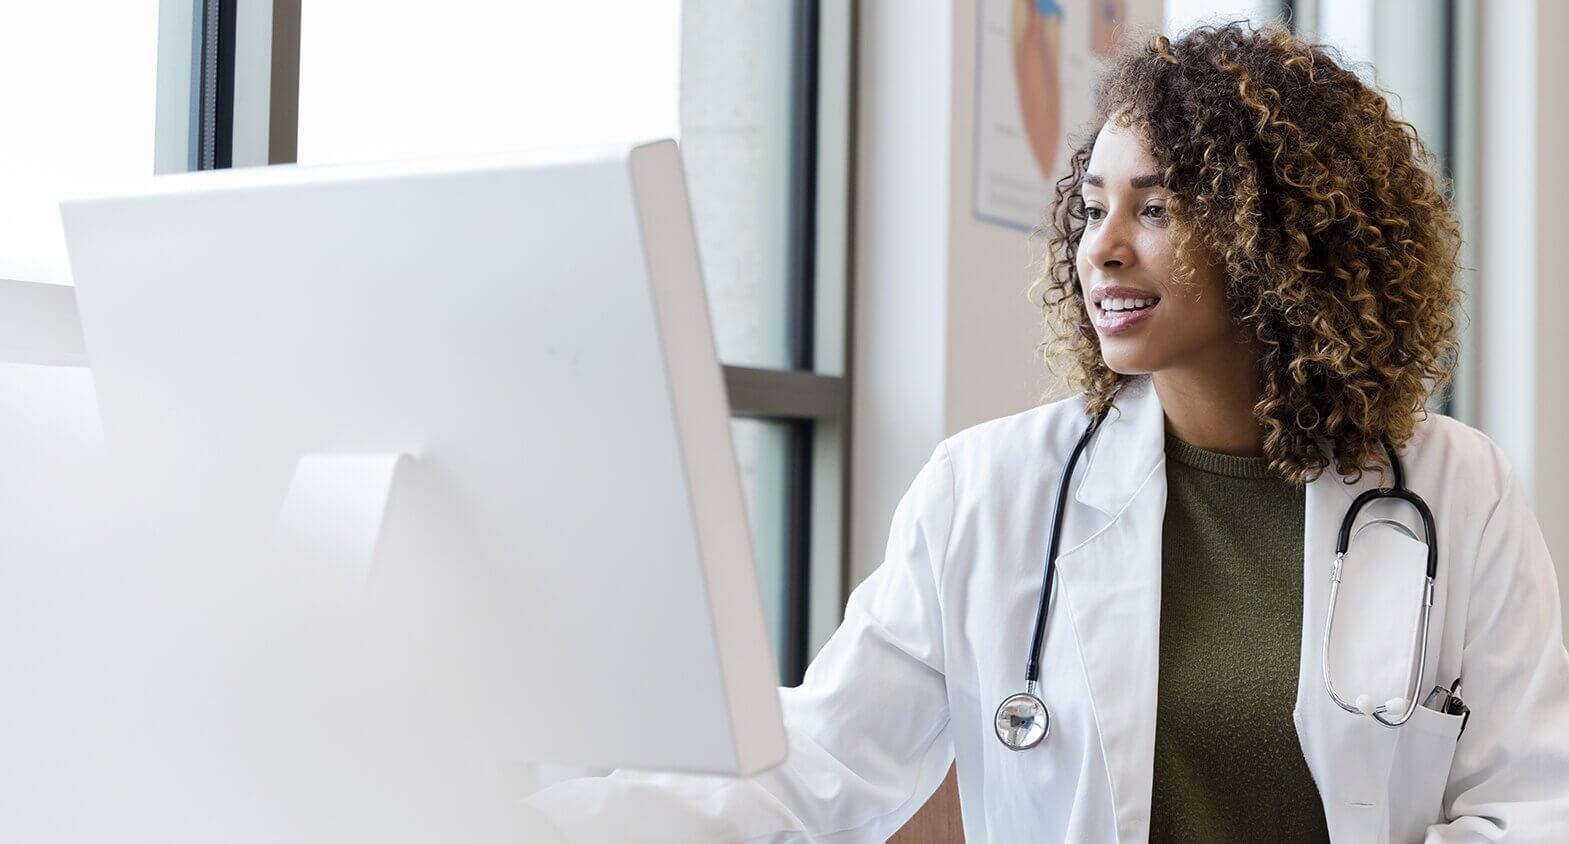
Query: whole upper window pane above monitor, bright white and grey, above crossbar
[497, 76]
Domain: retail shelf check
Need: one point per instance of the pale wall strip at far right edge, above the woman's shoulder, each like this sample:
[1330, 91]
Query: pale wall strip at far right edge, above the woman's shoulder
[1523, 175]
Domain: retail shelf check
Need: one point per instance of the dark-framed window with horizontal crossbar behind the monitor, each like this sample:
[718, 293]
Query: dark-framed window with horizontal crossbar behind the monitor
[759, 95]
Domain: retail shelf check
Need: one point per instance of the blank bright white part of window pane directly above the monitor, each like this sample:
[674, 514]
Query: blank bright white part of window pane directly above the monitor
[484, 76]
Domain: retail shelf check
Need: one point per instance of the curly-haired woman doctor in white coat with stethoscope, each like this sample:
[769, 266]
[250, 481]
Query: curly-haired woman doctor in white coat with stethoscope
[1253, 277]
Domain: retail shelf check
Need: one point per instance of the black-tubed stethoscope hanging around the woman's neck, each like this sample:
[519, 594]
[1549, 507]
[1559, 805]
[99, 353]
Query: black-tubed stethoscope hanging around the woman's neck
[1024, 719]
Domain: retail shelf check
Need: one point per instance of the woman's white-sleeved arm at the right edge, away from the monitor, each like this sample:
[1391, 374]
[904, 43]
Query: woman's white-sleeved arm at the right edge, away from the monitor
[1510, 780]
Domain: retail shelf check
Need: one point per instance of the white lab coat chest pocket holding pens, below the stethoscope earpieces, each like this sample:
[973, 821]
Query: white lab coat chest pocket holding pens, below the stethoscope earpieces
[1422, 771]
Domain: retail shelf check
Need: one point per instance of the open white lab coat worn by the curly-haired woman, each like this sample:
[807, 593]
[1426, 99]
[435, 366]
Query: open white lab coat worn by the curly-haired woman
[939, 635]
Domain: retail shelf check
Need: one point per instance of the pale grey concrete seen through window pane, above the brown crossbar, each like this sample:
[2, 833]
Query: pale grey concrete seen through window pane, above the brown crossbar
[737, 71]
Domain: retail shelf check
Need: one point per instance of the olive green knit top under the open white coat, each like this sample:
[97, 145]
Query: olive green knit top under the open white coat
[1228, 762]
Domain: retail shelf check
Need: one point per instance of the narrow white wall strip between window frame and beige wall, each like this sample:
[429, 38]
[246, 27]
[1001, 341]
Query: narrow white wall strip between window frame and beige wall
[901, 260]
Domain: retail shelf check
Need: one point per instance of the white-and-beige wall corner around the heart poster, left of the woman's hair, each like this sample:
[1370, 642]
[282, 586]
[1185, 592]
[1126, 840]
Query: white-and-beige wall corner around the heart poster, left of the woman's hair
[944, 333]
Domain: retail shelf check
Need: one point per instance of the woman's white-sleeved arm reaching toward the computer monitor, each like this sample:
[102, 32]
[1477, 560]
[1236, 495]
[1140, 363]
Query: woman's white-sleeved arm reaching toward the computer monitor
[868, 727]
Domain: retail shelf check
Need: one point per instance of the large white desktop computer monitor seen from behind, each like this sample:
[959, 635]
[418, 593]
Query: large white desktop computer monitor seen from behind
[428, 464]
